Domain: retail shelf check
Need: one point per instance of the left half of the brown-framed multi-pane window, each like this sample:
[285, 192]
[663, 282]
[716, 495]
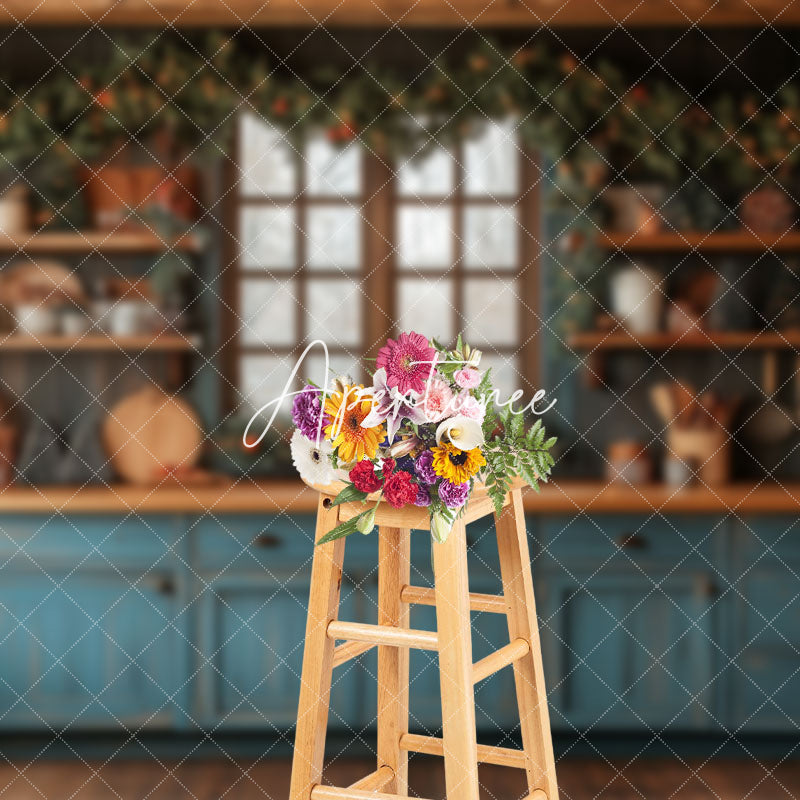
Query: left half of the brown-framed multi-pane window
[300, 238]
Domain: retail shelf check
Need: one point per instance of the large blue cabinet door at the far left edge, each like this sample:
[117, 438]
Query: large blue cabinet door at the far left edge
[87, 651]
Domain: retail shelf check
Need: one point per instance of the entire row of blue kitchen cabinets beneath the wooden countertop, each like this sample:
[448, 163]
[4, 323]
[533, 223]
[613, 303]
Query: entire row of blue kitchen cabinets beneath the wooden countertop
[683, 623]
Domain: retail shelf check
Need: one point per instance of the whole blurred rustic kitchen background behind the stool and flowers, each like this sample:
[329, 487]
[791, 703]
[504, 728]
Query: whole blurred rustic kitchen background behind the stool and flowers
[603, 199]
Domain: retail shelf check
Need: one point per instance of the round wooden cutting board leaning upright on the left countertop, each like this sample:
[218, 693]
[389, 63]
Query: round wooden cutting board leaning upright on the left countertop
[150, 434]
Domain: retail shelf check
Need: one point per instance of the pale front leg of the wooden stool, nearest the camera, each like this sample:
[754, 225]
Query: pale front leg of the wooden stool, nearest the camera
[455, 665]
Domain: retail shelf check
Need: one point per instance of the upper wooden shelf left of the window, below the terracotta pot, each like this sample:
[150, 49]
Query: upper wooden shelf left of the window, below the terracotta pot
[65, 242]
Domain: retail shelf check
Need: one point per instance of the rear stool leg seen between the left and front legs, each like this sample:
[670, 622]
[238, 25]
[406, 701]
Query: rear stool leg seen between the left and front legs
[394, 572]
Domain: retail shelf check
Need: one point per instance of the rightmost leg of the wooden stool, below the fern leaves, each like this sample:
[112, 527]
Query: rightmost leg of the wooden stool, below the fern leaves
[515, 568]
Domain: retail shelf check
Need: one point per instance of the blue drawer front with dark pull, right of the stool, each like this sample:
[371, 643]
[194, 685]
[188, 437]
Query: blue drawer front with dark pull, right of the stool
[627, 536]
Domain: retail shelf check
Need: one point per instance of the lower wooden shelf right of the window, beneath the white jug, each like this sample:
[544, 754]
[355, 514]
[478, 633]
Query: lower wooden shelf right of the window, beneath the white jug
[711, 340]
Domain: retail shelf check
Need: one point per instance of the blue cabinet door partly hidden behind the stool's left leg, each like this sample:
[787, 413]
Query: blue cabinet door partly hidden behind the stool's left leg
[252, 633]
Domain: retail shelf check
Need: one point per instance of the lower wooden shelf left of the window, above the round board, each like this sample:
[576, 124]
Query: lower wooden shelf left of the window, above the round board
[98, 342]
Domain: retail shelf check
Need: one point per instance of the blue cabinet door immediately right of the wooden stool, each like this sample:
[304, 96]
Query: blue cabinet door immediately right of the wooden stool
[621, 653]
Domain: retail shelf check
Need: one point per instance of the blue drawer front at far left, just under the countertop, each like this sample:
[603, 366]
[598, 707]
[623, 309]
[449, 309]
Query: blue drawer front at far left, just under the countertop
[121, 541]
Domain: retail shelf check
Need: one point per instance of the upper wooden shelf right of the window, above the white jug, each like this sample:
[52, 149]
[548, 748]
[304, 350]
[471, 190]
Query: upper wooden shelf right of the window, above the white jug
[690, 241]
